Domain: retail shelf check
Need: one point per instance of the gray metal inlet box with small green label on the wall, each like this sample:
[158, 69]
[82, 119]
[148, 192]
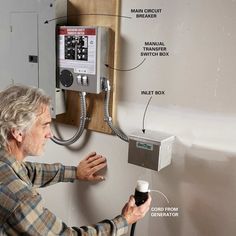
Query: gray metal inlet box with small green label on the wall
[152, 149]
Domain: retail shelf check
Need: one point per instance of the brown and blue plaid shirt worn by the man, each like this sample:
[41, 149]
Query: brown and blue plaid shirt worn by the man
[21, 208]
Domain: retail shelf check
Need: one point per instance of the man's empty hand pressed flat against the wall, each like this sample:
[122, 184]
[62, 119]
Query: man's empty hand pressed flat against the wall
[87, 168]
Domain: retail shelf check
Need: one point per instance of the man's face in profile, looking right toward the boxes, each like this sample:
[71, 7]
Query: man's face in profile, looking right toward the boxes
[35, 139]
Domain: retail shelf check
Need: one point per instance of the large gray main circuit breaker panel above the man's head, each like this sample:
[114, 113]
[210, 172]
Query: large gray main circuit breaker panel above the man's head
[28, 44]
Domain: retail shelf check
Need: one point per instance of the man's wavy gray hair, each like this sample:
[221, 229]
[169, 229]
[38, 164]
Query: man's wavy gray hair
[19, 106]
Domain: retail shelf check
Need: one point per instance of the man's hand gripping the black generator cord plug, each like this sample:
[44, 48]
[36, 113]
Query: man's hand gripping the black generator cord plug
[133, 213]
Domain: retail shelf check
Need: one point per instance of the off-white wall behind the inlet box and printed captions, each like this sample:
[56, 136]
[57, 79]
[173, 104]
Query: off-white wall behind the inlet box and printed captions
[199, 108]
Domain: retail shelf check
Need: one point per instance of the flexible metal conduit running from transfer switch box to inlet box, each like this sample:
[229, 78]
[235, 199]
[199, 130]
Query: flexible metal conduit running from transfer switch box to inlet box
[107, 118]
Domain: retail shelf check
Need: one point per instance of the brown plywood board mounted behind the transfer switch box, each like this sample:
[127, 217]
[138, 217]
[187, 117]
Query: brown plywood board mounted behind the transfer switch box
[94, 13]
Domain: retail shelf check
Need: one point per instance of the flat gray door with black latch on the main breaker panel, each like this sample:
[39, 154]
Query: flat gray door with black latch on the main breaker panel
[24, 48]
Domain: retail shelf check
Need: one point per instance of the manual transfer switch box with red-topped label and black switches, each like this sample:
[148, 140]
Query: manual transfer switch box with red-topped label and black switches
[83, 53]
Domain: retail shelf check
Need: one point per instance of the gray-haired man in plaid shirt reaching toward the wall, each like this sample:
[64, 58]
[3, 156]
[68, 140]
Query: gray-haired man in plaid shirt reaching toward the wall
[24, 129]
